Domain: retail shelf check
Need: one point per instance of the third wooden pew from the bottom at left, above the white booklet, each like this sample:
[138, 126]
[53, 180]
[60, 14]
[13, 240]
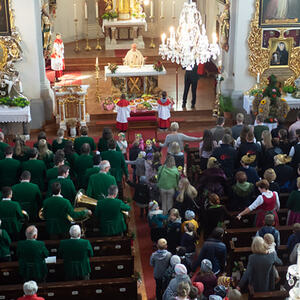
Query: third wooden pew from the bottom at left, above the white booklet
[104, 246]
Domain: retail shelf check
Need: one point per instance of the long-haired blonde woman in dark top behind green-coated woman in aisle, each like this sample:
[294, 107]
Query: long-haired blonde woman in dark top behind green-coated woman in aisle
[186, 195]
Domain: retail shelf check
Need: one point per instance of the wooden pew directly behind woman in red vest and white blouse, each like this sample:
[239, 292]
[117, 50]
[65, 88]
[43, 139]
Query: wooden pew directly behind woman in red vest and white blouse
[242, 237]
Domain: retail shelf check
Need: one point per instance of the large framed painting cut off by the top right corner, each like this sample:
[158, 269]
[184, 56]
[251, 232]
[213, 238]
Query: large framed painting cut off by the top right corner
[279, 13]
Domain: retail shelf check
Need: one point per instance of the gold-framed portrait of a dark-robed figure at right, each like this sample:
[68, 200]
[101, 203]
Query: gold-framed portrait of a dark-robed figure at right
[280, 52]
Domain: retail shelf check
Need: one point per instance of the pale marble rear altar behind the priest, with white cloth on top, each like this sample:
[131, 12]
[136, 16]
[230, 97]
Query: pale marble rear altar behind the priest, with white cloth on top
[120, 34]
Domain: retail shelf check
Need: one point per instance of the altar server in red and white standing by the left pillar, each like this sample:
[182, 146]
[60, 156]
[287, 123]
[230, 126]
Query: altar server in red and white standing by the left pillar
[57, 57]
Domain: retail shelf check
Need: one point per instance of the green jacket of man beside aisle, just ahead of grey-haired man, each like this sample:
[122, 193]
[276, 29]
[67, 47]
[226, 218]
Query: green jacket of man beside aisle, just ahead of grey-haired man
[117, 163]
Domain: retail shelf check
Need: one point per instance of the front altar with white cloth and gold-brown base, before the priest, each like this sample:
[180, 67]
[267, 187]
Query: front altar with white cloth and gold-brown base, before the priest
[134, 81]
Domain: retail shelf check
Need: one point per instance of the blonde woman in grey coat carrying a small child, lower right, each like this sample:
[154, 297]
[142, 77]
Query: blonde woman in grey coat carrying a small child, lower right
[260, 273]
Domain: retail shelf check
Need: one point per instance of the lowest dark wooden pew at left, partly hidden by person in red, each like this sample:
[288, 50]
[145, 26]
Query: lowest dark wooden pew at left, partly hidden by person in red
[106, 289]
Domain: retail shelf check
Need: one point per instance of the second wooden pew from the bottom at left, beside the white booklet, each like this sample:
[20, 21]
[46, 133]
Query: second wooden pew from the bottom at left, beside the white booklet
[101, 267]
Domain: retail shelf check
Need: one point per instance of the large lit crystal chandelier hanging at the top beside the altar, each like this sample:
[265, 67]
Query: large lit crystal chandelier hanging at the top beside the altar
[192, 45]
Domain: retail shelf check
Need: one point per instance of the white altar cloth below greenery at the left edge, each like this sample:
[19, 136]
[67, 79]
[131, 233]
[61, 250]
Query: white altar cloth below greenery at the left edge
[10, 114]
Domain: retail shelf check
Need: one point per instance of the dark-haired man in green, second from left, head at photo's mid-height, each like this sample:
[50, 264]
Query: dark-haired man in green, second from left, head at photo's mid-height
[37, 169]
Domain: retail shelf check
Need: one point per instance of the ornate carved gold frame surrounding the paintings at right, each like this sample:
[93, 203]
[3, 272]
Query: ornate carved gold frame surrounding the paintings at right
[259, 57]
